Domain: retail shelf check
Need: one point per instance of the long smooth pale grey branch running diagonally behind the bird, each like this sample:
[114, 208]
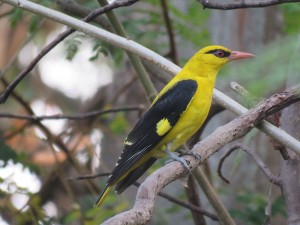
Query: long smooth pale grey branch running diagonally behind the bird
[280, 136]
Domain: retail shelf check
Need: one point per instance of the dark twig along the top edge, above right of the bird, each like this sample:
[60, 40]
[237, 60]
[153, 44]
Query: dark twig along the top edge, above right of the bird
[224, 5]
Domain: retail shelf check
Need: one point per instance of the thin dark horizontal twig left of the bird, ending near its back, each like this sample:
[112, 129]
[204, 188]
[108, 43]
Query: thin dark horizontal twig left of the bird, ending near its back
[81, 116]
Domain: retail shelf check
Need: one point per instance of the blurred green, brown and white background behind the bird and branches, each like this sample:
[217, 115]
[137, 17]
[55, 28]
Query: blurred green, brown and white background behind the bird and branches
[39, 160]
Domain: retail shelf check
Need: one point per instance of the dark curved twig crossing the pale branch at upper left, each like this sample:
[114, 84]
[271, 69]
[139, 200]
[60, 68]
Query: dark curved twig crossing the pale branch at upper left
[116, 4]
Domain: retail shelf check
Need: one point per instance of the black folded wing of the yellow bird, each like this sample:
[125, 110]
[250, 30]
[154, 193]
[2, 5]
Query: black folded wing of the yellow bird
[144, 137]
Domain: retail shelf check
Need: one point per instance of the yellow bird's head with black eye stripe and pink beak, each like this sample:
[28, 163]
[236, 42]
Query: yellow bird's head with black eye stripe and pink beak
[216, 56]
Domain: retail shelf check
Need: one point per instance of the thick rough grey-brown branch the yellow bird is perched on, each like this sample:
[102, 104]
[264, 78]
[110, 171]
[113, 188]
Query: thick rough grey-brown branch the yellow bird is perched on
[144, 204]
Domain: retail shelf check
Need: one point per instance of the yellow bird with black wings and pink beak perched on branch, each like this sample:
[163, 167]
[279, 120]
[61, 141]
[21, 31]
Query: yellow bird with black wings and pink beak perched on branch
[177, 112]
